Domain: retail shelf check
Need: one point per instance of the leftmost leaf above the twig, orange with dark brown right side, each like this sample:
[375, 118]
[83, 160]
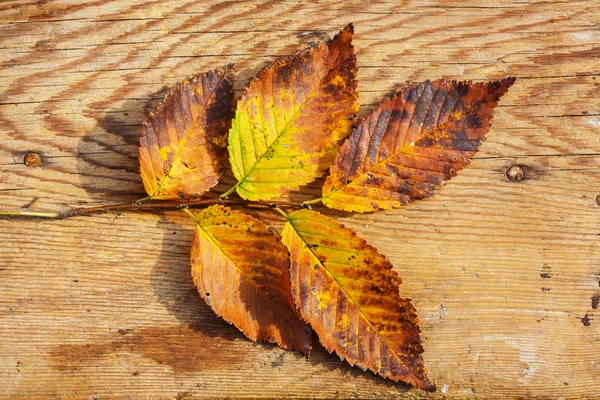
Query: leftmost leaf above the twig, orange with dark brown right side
[182, 144]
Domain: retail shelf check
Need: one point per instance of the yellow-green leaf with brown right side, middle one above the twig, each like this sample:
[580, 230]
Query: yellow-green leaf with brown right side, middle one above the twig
[290, 119]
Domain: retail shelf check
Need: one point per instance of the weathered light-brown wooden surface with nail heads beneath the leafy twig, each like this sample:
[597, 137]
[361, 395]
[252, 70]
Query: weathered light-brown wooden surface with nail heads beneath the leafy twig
[503, 274]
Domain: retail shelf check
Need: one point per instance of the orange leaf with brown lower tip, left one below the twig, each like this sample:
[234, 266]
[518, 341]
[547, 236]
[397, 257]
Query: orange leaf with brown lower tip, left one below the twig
[242, 271]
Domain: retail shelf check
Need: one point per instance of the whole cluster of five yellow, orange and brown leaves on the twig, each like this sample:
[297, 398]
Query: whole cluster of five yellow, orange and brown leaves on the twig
[292, 124]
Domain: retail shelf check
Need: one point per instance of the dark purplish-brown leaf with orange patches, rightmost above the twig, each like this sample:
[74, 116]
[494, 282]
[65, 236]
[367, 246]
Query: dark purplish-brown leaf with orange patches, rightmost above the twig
[411, 144]
